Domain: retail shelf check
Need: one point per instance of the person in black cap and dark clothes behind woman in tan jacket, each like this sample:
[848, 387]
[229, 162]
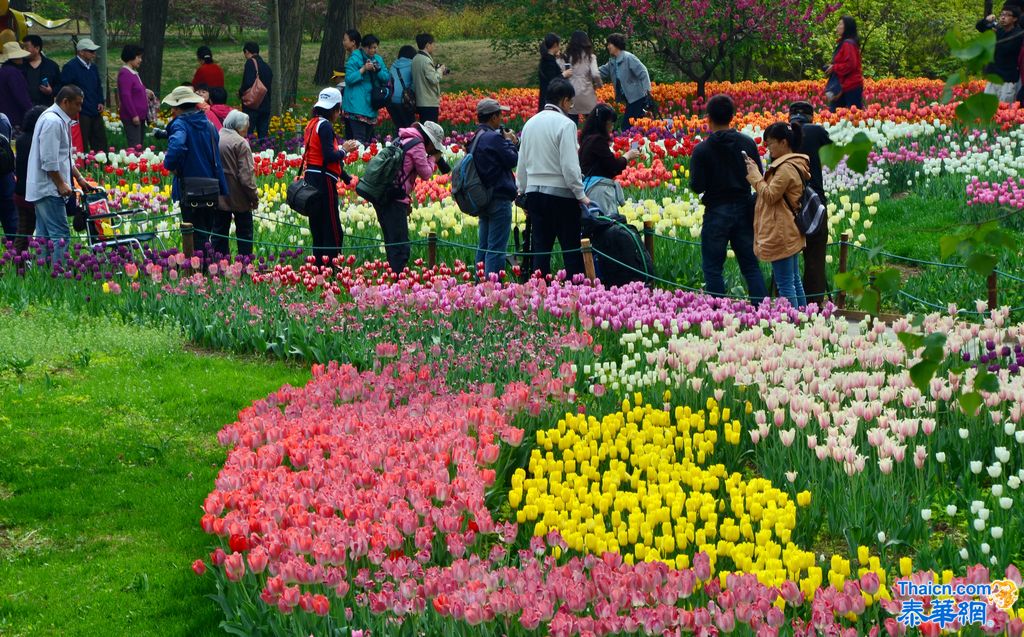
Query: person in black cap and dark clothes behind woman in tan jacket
[815, 137]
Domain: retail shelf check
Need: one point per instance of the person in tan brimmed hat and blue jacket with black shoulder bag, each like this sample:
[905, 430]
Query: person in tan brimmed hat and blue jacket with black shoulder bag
[193, 152]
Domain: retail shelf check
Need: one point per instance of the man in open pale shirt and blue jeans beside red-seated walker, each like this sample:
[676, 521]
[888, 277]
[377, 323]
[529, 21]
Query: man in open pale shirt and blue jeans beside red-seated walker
[49, 182]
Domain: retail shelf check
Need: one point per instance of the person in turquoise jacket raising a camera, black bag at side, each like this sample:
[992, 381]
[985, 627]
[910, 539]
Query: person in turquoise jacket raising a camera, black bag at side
[365, 74]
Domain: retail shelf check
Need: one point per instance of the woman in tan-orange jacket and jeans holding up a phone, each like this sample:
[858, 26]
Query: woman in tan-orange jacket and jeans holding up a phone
[777, 238]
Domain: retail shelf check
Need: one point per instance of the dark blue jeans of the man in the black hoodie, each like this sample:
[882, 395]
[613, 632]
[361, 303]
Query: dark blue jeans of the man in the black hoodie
[726, 225]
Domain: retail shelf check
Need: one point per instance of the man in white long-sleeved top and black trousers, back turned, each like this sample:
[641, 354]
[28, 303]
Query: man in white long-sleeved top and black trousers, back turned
[549, 176]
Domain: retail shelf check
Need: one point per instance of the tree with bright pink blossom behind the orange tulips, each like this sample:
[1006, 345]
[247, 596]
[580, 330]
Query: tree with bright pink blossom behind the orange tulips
[696, 36]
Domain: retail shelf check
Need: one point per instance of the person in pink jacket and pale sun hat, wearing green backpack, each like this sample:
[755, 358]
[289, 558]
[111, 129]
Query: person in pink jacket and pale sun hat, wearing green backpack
[423, 143]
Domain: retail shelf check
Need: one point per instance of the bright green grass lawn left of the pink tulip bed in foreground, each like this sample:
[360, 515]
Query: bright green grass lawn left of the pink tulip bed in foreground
[108, 449]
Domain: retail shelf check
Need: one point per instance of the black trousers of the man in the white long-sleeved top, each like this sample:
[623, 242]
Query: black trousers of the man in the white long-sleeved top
[556, 218]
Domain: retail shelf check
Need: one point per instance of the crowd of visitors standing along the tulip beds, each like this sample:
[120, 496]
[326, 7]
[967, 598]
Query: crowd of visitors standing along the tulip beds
[556, 174]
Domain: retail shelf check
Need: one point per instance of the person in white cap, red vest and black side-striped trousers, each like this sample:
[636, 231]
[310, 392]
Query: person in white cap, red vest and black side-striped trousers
[324, 171]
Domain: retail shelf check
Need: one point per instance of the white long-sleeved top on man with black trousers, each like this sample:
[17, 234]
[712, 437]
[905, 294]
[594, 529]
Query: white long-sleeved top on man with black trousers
[549, 160]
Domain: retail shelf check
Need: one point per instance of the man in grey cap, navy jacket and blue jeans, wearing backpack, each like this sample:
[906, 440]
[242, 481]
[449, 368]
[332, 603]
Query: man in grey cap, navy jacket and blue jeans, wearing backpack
[496, 155]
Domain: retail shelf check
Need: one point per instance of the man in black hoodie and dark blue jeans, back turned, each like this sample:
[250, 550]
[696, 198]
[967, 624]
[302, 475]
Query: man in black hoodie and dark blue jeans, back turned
[718, 175]
